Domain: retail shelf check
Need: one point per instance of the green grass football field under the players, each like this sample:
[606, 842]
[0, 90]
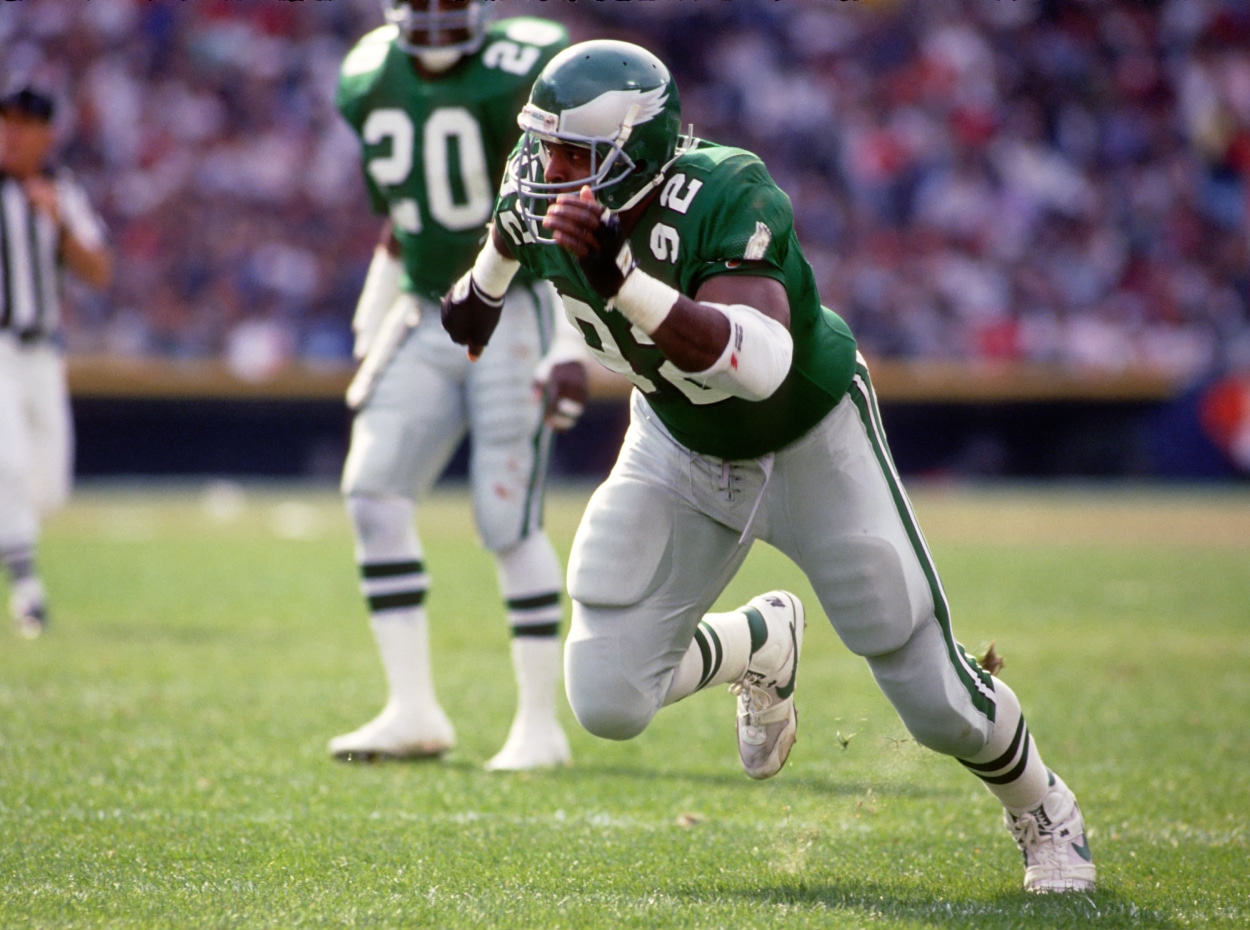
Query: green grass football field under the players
[163, 748]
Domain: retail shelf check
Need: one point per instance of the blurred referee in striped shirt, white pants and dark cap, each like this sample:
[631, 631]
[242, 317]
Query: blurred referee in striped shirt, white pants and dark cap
[47, 224]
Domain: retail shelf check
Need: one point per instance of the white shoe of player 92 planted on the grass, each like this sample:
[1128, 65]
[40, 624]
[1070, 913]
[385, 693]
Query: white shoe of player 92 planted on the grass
[1057, 858]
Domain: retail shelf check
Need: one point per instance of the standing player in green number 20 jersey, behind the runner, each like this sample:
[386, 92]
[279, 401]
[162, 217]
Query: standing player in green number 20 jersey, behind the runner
[434, 97]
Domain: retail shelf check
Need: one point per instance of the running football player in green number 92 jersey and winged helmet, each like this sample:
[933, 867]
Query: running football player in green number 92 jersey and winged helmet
[753, 418]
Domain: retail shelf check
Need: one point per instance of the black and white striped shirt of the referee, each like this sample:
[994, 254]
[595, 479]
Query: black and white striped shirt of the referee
[31, 304]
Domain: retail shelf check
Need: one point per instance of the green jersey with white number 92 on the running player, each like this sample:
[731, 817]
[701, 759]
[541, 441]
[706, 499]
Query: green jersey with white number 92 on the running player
[718, 213]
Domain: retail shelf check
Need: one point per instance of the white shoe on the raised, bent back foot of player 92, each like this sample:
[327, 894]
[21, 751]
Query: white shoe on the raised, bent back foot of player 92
[767, 718]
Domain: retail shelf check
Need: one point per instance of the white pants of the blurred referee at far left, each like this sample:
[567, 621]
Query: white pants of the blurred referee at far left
[37, 438]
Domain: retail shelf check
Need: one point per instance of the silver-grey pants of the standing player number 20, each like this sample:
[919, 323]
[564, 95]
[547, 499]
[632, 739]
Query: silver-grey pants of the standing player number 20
[431, 397]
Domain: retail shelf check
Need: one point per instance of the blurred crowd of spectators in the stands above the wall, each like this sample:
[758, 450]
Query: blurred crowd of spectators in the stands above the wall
[1057, 181]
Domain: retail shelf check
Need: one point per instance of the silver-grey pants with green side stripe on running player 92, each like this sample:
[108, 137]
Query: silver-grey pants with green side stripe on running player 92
[661, 539]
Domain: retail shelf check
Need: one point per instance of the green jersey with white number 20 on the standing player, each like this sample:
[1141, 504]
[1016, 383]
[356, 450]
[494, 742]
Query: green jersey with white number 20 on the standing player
[434, 151]
